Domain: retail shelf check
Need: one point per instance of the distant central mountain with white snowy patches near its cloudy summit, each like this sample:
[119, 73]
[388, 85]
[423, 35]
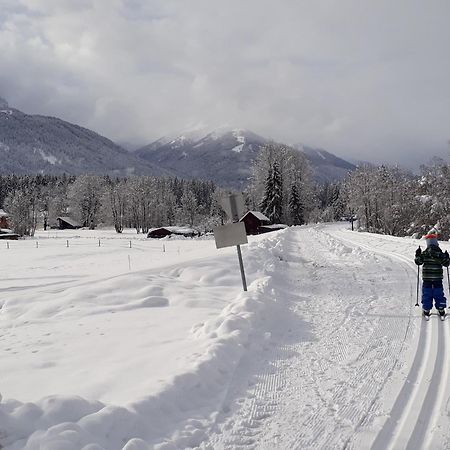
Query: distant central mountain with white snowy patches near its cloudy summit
[226, 156]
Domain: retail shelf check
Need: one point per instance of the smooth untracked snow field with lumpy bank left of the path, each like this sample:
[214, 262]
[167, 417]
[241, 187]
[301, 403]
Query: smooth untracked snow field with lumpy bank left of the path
[100, 354]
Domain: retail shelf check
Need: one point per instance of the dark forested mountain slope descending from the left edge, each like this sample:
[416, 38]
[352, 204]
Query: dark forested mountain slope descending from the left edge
[41, 144]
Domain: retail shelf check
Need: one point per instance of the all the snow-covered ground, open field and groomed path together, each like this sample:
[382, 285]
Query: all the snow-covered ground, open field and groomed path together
[325, 350]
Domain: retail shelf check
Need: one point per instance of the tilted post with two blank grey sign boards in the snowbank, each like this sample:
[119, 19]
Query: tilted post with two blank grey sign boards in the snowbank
[234, 233]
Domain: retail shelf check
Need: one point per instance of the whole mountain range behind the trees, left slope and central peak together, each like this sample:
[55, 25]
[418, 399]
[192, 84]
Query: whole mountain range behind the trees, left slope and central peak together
[41, 144]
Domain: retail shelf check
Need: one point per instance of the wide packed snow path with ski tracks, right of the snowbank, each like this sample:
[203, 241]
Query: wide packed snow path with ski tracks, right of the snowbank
[369, 376]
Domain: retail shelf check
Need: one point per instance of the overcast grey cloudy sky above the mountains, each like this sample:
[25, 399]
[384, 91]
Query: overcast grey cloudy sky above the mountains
[367, 80]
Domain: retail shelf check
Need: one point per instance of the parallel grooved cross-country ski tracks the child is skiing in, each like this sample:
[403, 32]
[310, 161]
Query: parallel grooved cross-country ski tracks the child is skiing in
[419, 418]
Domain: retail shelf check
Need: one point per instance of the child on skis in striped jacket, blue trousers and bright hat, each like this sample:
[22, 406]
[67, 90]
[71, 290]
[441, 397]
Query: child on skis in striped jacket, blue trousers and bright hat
[432, 259]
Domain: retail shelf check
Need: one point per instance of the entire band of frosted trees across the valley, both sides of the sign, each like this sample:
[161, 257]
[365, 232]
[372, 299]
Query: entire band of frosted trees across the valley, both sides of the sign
[384, 199]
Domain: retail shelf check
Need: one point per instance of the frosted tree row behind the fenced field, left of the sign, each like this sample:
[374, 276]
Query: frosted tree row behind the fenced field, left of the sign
[138, 202]
